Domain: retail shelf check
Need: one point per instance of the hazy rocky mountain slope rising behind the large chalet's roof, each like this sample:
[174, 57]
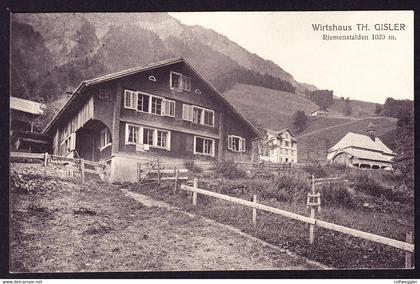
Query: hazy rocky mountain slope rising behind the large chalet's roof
[73, 38]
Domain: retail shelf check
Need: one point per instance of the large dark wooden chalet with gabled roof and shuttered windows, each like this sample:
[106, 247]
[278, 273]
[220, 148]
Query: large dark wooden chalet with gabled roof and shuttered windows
[165, 110]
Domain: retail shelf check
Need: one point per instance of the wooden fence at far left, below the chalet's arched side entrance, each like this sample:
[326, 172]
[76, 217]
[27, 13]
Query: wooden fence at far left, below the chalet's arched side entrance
[70, 164]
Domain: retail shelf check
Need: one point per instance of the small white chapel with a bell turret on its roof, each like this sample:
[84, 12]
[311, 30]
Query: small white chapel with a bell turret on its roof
[361, 151]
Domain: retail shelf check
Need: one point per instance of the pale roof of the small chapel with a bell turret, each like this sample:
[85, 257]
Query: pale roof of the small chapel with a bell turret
[361, 141]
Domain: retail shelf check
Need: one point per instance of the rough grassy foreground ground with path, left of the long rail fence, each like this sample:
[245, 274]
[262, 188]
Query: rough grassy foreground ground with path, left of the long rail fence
[65, 226]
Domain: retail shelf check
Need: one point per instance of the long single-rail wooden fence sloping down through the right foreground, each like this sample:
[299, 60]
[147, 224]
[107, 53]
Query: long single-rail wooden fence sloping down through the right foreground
[407, 246]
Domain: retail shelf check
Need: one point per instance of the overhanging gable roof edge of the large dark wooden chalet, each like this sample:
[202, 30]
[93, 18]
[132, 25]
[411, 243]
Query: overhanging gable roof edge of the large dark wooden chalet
[140, 69]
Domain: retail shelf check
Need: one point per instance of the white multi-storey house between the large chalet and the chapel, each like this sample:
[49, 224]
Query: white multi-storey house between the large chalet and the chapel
[279, 147]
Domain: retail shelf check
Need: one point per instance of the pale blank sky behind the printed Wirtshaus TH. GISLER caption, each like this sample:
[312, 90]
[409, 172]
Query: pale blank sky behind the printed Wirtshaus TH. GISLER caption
[369, 70]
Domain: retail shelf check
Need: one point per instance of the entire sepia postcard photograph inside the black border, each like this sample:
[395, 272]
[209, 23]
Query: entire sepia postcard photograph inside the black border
[211, 141]
